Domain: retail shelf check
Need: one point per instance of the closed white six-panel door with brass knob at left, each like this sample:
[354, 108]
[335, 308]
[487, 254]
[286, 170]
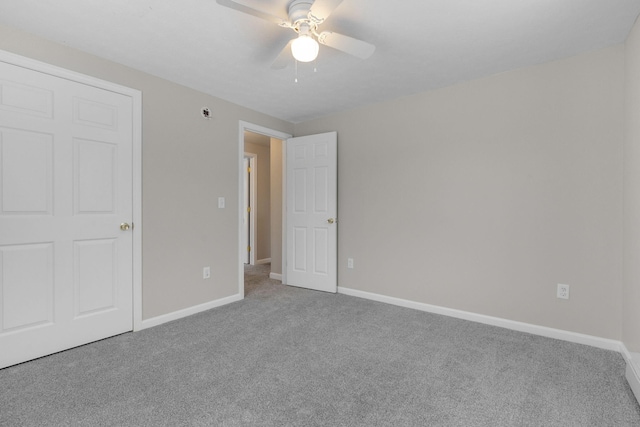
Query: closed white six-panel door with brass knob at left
[65, 188]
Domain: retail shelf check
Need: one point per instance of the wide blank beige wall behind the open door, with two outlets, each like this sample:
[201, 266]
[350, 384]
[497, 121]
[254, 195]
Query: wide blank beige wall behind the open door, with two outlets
[485, 195]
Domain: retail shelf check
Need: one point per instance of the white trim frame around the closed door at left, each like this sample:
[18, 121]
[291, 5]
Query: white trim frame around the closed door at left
[136, 97]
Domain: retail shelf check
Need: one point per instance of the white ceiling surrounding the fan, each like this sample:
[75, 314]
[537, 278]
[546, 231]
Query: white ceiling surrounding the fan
[421, 44]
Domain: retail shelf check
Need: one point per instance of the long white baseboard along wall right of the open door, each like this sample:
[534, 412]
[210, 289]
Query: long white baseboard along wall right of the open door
[544, 331]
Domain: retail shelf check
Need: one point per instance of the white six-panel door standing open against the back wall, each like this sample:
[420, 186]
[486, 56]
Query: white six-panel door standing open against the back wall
[311, 223]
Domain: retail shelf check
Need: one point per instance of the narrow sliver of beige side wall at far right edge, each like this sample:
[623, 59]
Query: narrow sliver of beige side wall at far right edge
[631, 295]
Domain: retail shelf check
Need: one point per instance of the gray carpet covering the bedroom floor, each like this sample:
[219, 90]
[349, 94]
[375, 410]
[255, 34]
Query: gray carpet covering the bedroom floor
[291, 357]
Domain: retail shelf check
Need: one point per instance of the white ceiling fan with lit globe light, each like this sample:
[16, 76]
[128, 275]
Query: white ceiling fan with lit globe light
[304, 17]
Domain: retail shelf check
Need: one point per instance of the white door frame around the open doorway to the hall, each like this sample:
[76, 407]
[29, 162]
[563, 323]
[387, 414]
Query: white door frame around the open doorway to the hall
[272, 133]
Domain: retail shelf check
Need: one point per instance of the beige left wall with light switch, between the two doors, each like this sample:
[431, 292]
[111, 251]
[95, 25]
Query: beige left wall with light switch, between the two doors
[188, 162]
